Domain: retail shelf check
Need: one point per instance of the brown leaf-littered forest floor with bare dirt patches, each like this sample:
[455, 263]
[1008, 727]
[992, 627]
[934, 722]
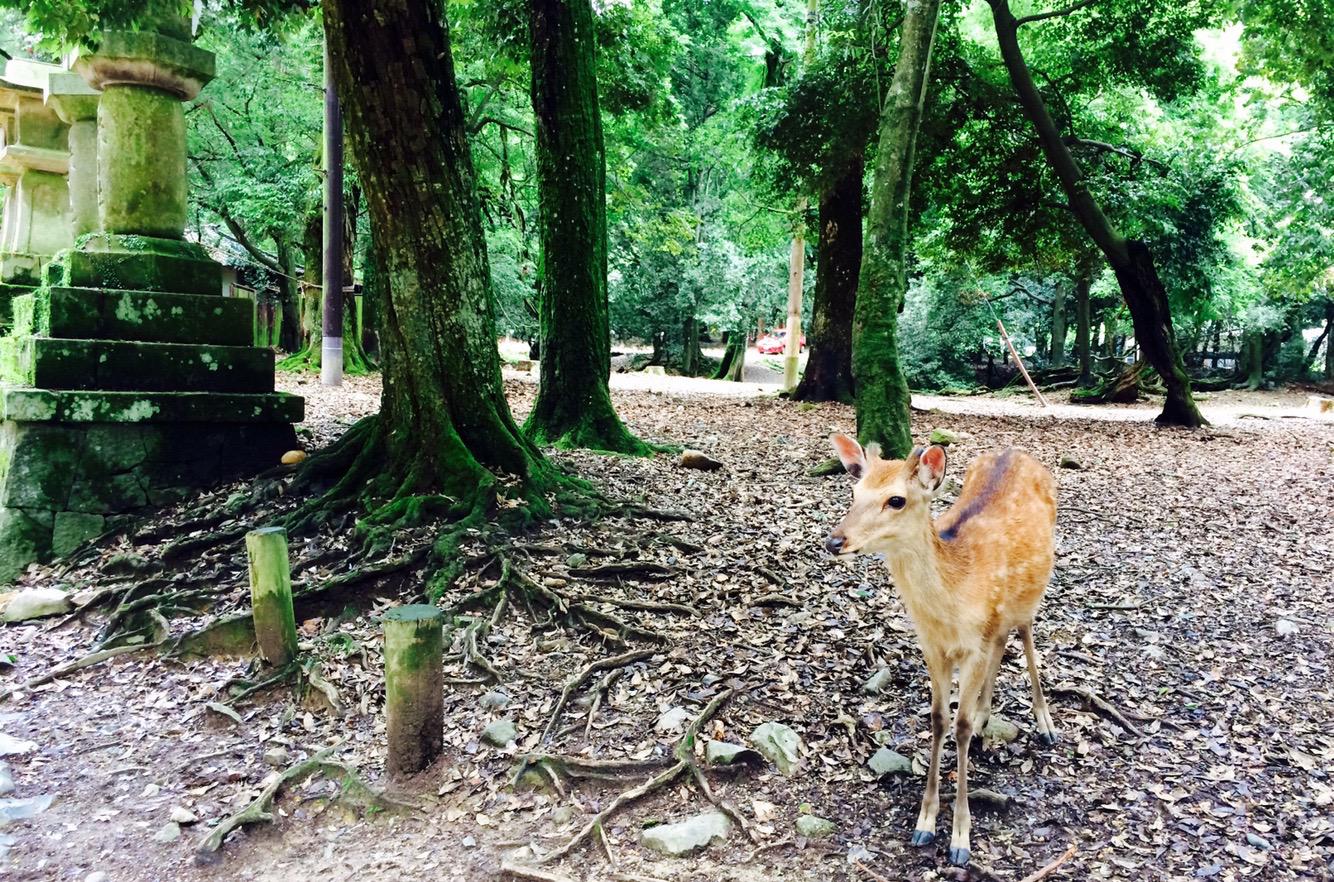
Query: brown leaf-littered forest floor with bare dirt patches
[1192, 594]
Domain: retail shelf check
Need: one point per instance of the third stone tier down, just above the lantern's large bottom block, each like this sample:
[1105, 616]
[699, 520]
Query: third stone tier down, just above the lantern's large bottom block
[55, 364]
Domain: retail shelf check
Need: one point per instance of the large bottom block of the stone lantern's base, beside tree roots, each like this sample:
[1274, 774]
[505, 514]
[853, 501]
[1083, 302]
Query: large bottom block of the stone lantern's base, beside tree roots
[62, 484]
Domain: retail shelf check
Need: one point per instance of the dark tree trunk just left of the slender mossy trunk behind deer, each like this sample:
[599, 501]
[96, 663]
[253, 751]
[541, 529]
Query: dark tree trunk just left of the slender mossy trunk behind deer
[829, 368]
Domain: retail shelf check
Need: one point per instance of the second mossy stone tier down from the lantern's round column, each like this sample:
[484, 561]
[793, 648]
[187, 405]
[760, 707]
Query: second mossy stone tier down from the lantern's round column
[151, 317]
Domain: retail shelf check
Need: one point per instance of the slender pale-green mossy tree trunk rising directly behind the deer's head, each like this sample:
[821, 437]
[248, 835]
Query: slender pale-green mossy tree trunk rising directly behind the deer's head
[882, 394]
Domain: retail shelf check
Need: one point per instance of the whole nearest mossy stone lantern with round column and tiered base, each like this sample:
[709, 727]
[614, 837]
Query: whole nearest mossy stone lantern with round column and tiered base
[130, 381]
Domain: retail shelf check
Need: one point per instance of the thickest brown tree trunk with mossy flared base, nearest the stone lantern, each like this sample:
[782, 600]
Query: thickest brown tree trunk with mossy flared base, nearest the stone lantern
[445, 426]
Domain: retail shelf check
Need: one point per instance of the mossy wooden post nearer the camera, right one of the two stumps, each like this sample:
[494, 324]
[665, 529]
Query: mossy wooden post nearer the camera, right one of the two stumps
[414, 687]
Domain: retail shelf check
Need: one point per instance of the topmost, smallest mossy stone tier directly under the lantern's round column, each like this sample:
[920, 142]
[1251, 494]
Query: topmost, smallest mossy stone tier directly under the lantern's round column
[135, 264]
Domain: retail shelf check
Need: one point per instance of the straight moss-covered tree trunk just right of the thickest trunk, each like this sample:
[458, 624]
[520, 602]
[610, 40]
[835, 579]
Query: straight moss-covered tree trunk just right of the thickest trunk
[574, 405]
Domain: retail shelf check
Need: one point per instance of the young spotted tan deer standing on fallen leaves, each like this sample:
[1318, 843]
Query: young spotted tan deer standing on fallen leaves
[968, 581]
